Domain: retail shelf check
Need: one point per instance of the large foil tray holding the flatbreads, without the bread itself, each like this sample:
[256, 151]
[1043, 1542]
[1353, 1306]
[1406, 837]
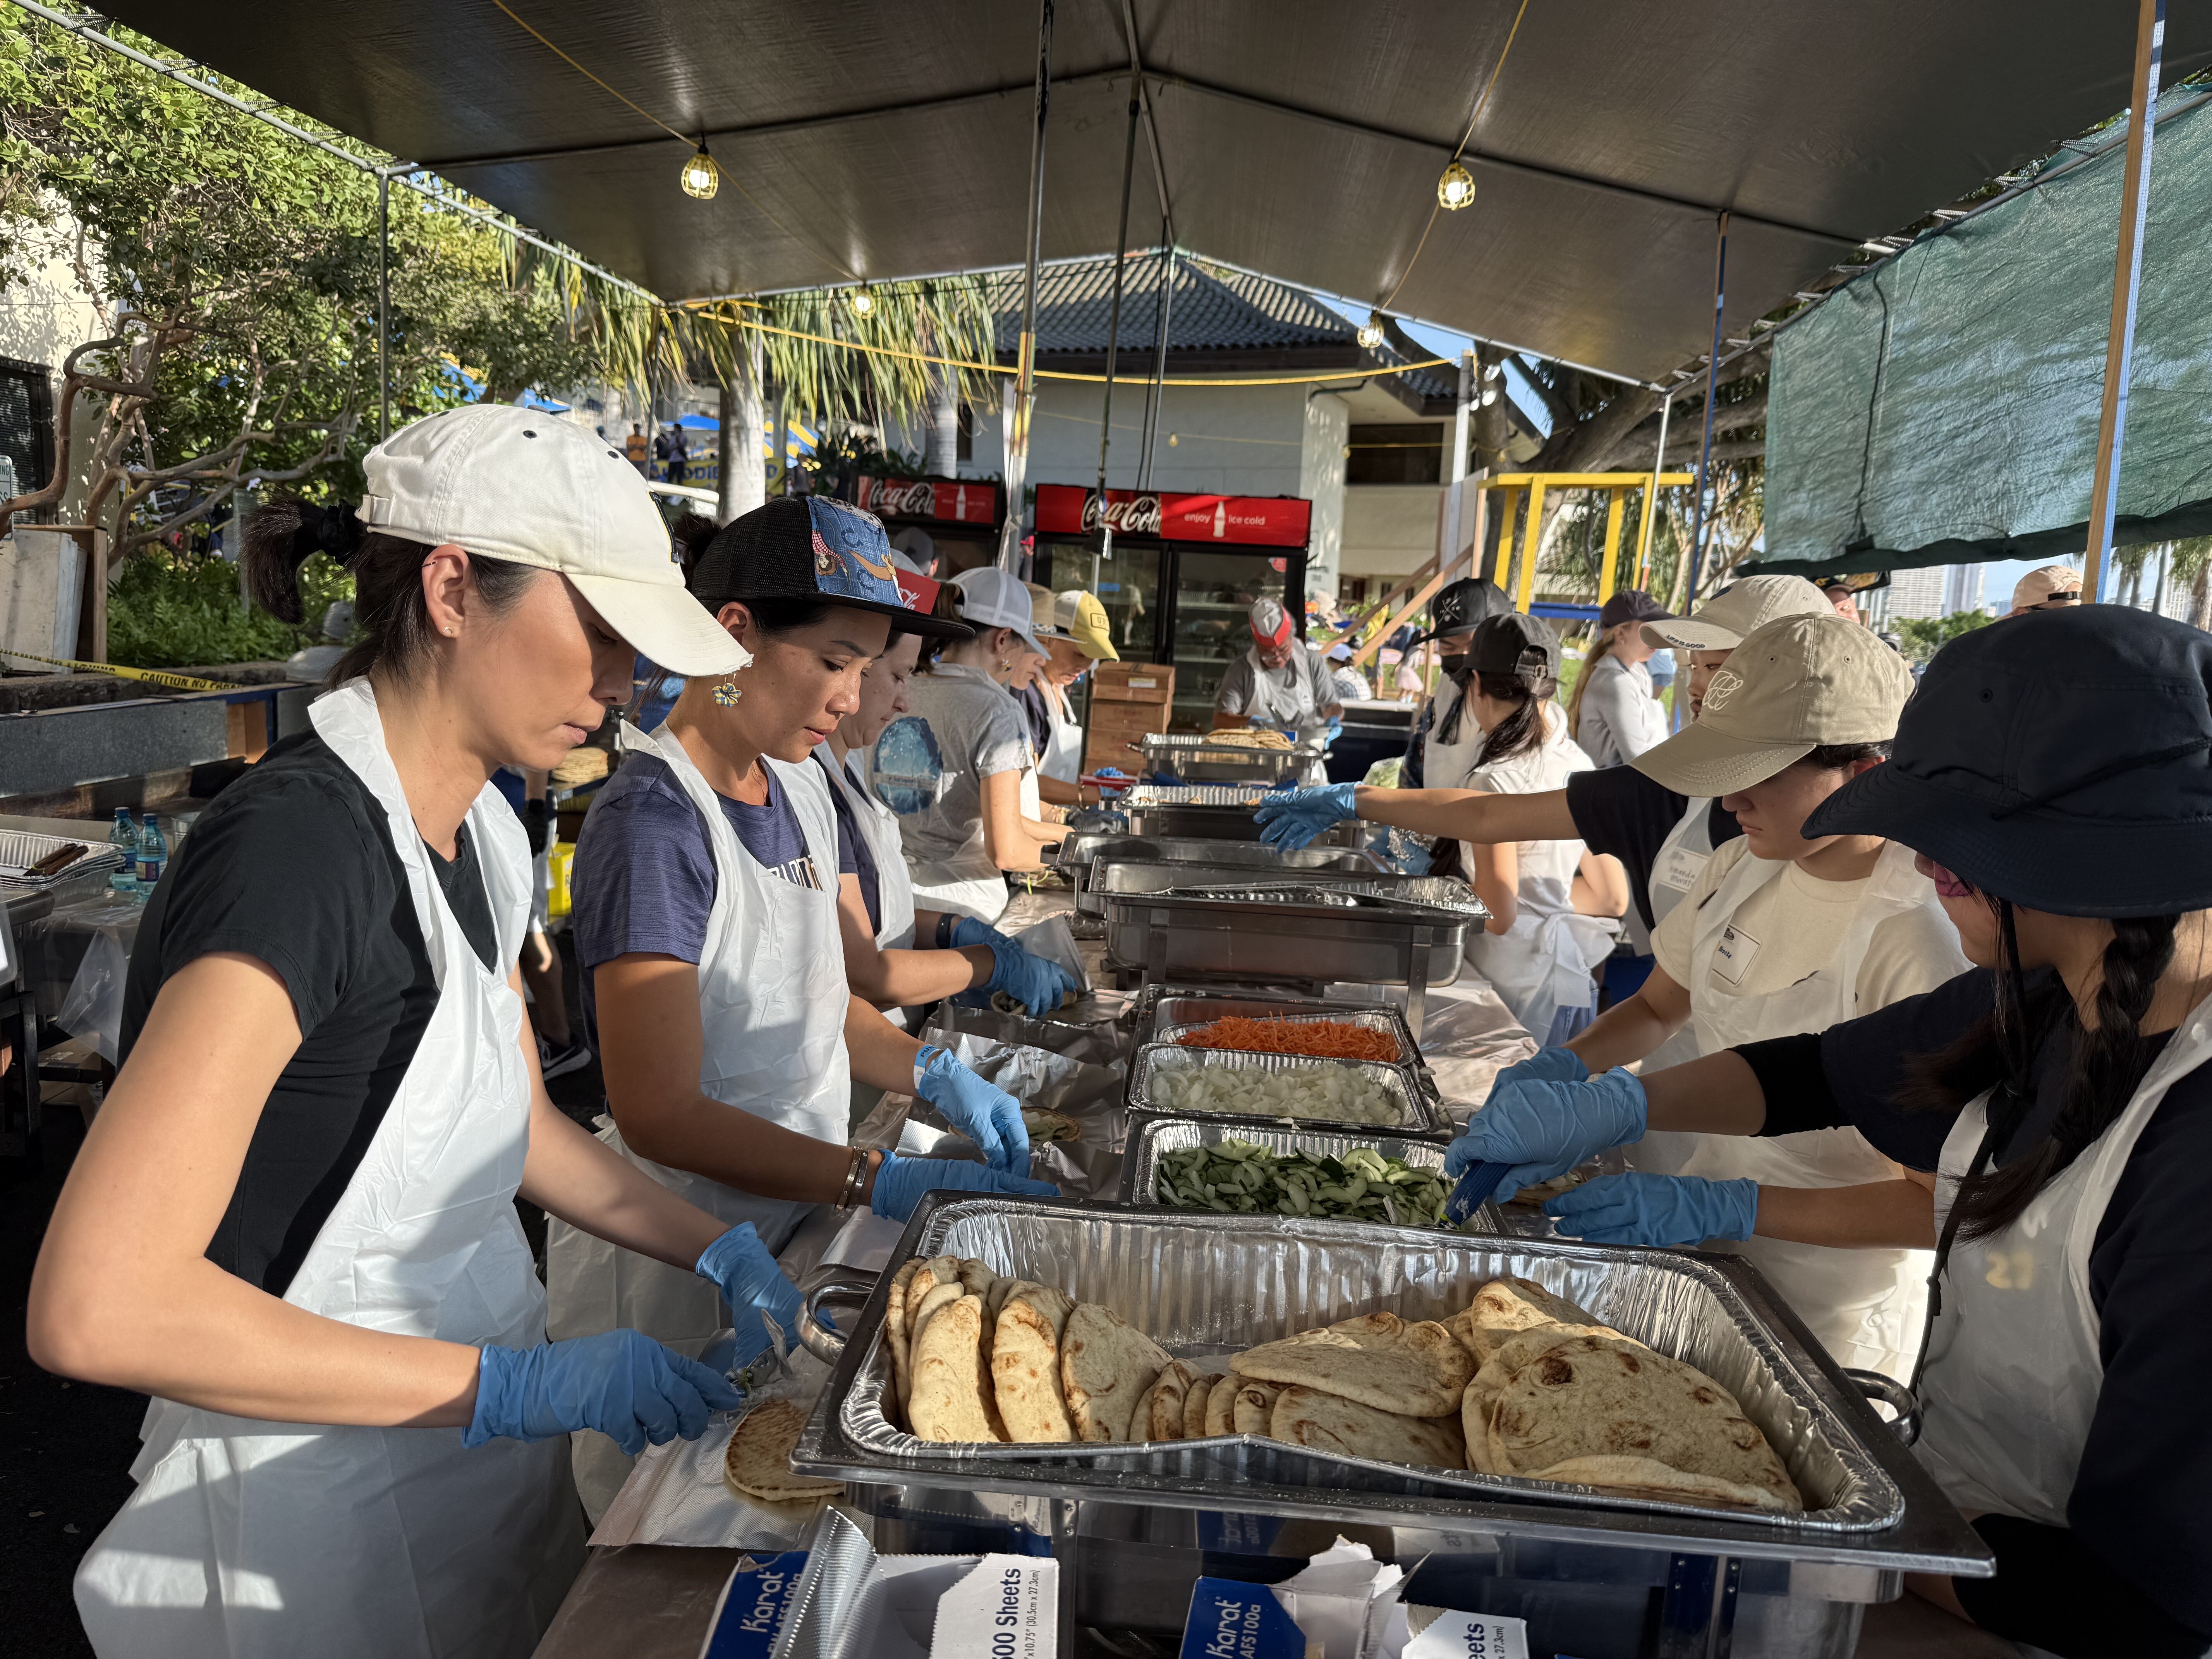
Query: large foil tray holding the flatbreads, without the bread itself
[1209, 1286]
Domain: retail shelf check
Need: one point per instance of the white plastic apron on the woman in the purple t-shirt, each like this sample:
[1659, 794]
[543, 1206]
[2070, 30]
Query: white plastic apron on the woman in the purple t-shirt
[773, 1005]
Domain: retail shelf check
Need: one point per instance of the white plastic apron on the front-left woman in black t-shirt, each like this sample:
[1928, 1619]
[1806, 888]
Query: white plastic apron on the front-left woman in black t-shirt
[275, 1541]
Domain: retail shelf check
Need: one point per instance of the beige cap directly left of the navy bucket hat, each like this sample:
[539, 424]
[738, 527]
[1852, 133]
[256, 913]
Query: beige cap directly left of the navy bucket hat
[1788, 689]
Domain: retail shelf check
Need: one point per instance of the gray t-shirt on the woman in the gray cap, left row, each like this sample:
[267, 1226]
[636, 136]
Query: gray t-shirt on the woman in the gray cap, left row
[961, 727]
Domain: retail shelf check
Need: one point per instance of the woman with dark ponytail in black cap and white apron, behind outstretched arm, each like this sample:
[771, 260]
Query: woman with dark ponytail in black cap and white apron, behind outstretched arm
[1554, 904]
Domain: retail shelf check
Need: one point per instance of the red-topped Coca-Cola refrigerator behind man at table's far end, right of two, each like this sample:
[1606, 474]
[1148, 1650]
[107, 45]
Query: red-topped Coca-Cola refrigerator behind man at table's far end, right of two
[1182, 576]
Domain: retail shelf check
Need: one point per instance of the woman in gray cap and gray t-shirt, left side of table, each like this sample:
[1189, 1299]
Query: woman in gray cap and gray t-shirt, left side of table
[959, 764]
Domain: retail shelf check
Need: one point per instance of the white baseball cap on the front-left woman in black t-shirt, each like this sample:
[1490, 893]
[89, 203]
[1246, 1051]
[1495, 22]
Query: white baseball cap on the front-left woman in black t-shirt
[528, 488]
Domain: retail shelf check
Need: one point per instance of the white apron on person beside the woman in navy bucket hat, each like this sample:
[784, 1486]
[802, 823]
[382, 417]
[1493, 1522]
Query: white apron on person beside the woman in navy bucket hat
[1866, 1306]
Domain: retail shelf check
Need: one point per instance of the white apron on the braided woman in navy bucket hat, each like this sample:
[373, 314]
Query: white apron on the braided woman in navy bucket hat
[2014, 1364]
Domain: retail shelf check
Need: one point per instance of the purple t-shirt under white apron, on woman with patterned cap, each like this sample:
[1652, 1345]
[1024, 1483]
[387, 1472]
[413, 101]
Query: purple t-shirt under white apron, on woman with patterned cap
[645, 873]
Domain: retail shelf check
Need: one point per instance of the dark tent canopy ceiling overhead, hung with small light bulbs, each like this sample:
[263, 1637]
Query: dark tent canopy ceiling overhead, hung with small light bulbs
[893, 140]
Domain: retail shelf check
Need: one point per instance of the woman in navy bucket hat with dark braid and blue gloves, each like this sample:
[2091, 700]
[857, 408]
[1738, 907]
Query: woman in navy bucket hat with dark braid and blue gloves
[2054, 1109]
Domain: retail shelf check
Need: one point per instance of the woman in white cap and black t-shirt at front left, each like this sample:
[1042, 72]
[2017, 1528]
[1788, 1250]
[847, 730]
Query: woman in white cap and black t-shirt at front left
[295, 1220]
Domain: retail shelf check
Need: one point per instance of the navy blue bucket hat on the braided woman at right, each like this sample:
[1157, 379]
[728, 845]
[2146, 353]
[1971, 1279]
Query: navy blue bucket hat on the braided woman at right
[2058, 760]
